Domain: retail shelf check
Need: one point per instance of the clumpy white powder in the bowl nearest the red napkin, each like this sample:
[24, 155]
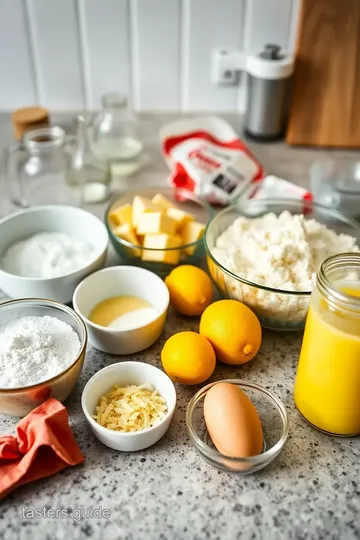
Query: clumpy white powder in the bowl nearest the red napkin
[35, 349]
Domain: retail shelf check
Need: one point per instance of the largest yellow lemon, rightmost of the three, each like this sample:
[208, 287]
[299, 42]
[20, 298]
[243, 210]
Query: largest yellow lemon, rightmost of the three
[233, 330]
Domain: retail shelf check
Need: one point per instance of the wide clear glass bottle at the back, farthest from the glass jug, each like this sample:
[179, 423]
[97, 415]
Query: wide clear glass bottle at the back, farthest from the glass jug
[115, 136]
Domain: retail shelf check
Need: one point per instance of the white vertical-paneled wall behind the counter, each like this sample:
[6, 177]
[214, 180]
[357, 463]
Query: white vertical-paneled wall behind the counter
[64, 54]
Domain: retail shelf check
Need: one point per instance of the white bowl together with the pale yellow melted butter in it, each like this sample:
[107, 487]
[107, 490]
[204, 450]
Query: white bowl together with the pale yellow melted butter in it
[124, 308]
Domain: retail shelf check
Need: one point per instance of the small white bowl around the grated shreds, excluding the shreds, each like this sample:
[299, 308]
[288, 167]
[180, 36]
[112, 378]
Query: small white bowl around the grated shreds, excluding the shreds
[126, 373]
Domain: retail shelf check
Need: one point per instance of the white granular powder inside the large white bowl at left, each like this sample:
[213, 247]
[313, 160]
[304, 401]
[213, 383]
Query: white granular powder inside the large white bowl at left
[47, 255]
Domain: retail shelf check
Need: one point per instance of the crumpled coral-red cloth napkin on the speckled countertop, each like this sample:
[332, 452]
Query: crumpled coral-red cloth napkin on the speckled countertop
[43, 445]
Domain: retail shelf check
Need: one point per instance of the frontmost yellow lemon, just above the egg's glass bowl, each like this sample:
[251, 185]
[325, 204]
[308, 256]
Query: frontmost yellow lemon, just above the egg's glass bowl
[188, 358]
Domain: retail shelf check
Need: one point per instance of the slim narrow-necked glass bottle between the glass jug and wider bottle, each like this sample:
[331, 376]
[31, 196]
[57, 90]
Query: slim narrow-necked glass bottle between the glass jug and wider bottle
[85, 171]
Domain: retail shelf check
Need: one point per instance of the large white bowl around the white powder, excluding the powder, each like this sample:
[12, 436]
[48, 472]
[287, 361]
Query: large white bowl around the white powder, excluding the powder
[54, 218]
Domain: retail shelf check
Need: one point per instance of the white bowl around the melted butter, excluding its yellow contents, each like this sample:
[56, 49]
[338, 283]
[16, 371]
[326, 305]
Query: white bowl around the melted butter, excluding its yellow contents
[118, 281]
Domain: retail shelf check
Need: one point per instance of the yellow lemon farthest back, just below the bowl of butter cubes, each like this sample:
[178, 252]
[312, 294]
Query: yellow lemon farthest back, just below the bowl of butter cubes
[190, 289]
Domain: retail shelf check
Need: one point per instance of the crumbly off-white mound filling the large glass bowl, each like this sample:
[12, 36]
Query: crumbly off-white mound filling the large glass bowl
[281, 252]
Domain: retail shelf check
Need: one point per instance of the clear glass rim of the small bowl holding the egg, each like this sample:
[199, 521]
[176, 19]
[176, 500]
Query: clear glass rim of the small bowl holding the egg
[214, 455]
